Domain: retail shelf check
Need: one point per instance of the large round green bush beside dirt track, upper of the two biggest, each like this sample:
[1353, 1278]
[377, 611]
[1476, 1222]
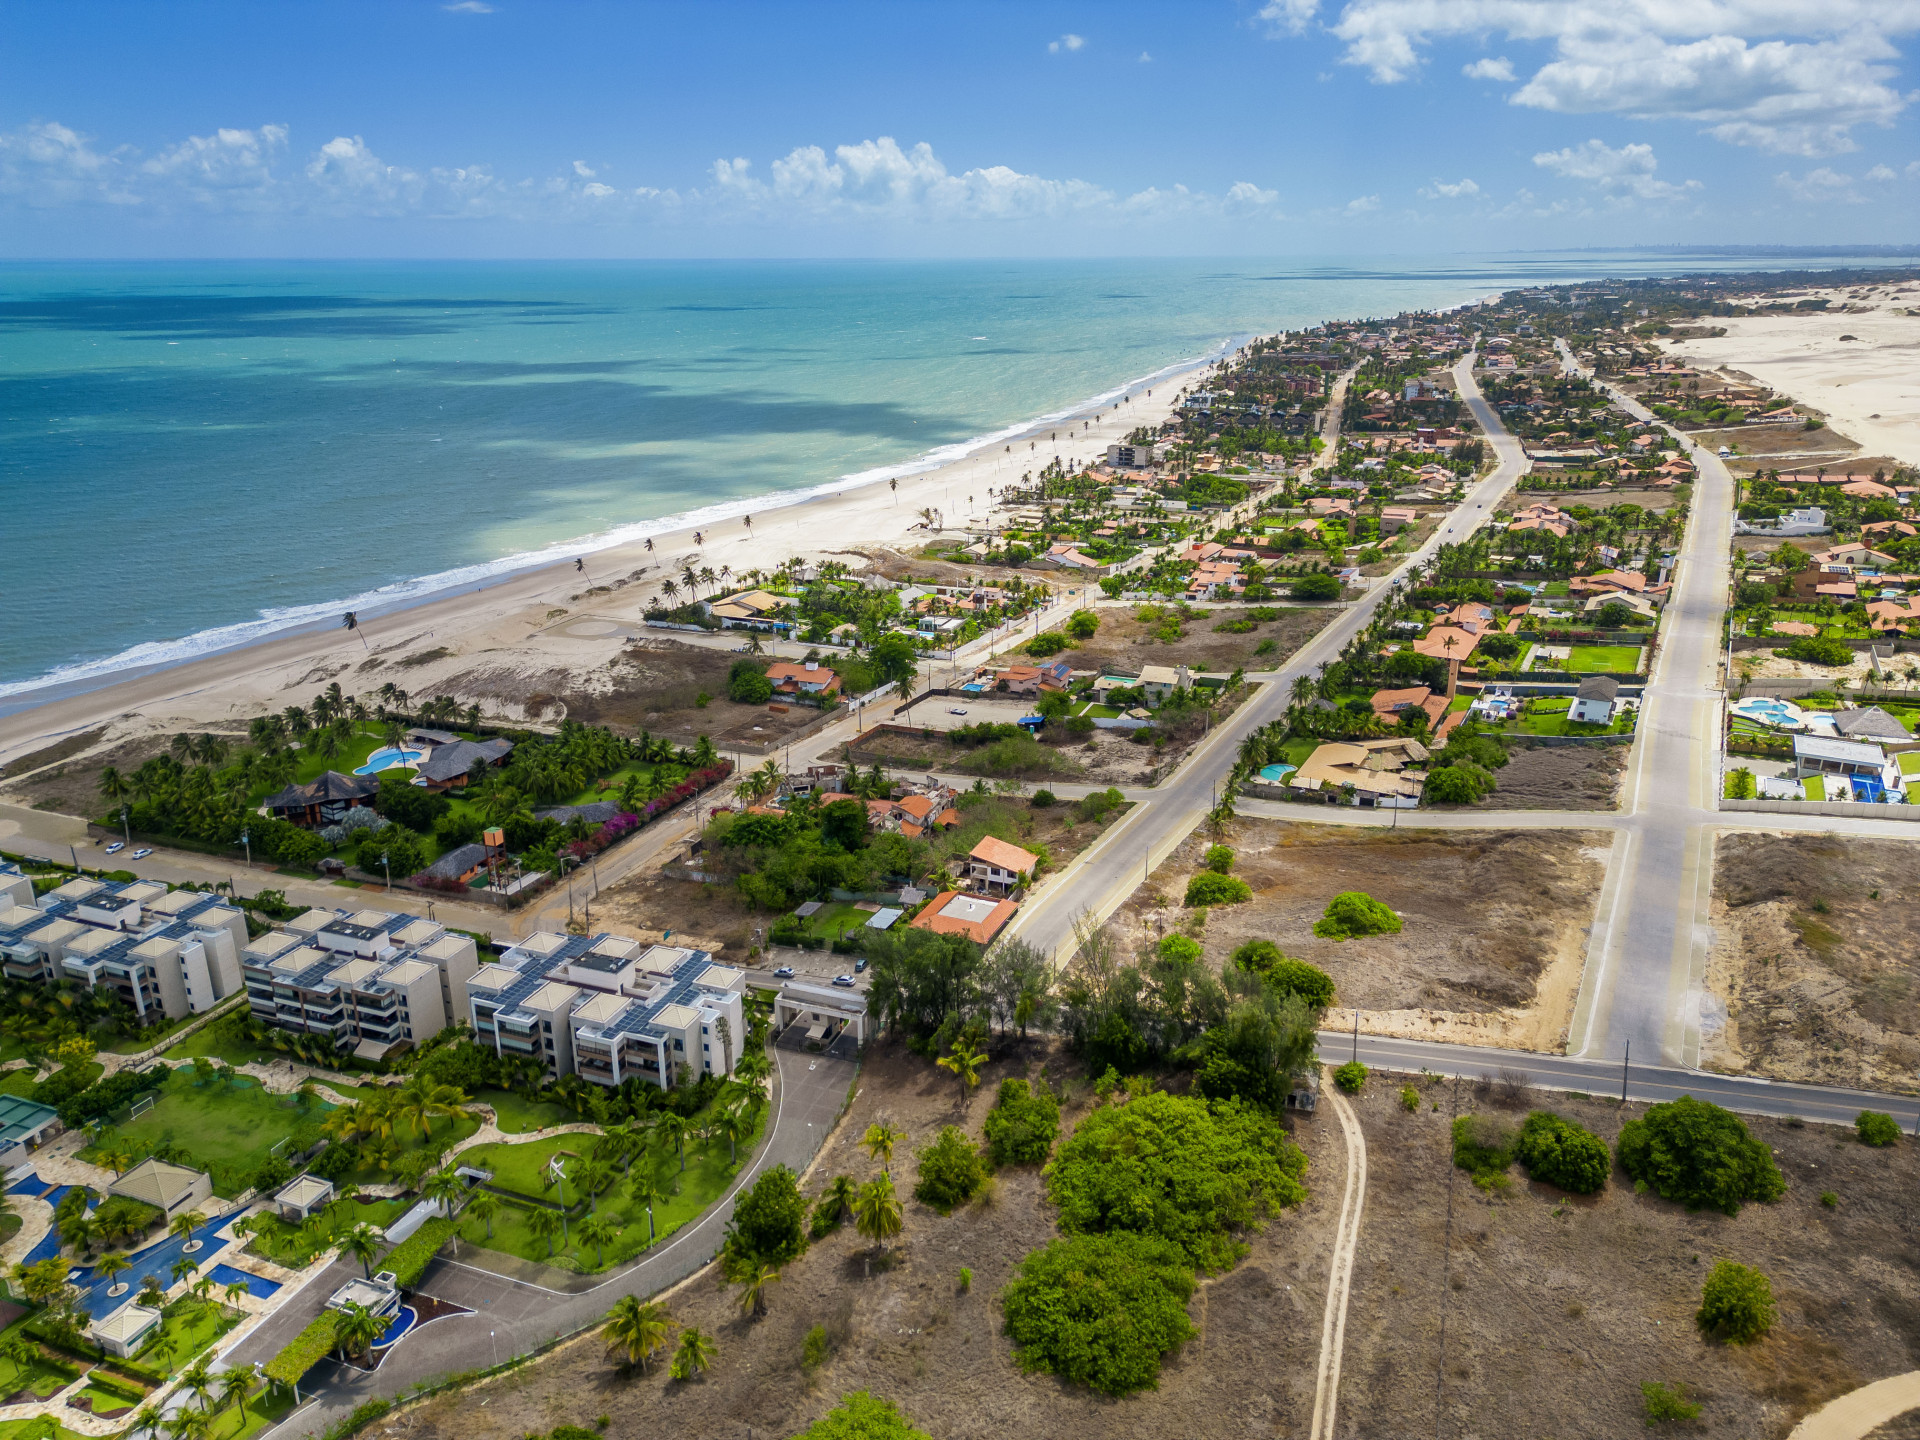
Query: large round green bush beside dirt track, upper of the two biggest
[1180, 1170]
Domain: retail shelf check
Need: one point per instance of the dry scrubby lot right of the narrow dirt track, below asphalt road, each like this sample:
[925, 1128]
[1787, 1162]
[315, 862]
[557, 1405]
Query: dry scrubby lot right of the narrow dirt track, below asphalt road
[1558, 1308]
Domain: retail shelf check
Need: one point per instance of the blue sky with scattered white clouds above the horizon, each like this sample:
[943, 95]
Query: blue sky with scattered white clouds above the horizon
[1293, 128]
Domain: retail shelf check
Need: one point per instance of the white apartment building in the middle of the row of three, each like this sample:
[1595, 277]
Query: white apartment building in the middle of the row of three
[370, 982]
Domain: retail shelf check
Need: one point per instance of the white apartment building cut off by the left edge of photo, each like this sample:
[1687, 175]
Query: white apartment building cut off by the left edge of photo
[166, 953]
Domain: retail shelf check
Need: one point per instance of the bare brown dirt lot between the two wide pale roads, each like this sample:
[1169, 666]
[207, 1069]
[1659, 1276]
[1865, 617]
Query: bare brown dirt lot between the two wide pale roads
[1495, 923]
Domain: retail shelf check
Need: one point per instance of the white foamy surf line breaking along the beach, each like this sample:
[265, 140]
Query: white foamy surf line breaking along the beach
[406, 594]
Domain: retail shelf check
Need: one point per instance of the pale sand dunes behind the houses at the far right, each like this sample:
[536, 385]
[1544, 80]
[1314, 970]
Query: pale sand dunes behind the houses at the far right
[1867, 385]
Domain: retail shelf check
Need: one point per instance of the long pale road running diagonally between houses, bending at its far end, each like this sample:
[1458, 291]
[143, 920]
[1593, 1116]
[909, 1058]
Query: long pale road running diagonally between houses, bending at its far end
[1103, 876]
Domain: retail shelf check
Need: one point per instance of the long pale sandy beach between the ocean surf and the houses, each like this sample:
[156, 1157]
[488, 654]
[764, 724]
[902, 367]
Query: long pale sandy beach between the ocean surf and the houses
[521, 621]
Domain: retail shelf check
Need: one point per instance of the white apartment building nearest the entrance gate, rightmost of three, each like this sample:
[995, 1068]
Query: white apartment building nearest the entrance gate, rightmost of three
[610, 1009]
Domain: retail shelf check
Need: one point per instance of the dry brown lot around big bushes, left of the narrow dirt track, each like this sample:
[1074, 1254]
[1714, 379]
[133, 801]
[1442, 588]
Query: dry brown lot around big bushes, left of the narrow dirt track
[909, 1335]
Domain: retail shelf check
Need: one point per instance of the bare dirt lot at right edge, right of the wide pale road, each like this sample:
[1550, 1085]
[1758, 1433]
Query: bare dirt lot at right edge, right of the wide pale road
[1813, 961]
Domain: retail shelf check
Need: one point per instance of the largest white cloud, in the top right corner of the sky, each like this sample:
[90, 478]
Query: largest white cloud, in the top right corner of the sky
[1773, 74]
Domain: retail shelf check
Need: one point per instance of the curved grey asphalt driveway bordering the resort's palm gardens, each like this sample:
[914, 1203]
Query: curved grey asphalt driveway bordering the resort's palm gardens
[512, 1316]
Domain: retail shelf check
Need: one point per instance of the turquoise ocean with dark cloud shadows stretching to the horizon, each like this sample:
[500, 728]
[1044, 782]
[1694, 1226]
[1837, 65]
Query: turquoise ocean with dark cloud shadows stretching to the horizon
[195, 456]
